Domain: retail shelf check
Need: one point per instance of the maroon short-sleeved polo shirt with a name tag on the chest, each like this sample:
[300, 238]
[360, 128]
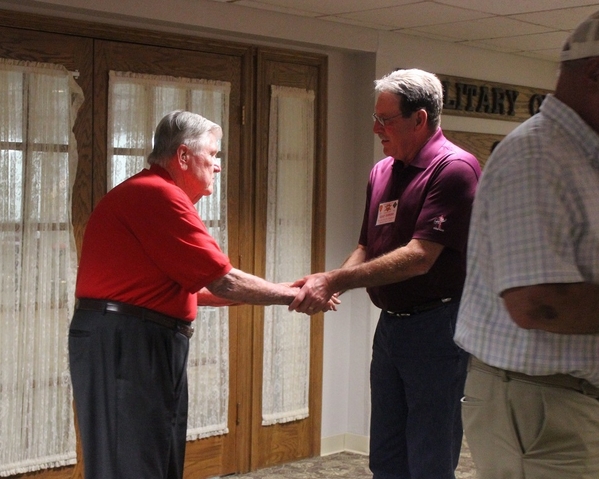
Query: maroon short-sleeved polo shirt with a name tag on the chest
[430, 199]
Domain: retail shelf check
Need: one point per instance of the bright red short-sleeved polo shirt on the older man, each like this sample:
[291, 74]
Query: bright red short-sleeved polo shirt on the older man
[146, 245]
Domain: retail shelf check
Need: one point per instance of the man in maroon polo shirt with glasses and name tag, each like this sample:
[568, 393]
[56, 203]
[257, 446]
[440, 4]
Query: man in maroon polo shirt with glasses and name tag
[411, 259]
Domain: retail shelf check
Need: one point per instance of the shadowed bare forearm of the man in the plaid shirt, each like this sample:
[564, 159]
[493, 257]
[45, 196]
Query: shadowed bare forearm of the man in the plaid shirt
[564, 308]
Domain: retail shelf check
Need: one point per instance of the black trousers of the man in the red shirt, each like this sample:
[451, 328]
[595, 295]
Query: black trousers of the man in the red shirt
[130, 389]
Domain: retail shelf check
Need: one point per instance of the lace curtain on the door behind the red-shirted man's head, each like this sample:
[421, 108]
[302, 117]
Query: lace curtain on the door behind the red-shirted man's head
[136, 104]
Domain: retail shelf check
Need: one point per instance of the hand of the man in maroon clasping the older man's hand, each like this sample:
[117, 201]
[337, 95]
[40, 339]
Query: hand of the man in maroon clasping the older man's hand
[315, 295]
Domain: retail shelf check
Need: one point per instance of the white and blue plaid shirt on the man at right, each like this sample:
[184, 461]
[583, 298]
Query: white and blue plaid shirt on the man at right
[535, 221]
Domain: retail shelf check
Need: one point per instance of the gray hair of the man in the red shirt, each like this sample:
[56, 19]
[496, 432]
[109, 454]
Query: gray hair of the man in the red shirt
[180, 128]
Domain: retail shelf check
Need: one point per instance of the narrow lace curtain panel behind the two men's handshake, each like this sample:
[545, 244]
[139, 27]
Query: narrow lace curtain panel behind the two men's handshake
[286, 361]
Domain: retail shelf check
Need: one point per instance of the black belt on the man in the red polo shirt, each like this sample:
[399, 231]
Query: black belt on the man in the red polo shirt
[101, 306]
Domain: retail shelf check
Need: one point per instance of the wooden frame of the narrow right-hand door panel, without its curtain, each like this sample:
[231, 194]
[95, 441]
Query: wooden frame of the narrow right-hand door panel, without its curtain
[298, 439]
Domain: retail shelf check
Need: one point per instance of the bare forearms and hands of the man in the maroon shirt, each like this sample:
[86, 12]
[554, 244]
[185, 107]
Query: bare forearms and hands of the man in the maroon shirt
[414, 259]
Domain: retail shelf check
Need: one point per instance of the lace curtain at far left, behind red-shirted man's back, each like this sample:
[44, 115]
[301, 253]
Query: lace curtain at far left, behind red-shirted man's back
[38, 162]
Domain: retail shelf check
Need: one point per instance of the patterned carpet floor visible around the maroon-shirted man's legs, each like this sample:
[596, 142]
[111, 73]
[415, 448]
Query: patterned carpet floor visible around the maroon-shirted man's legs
[344, 465]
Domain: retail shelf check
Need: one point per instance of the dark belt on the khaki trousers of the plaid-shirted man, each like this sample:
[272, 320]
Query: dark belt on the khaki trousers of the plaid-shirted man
[565, 381]
